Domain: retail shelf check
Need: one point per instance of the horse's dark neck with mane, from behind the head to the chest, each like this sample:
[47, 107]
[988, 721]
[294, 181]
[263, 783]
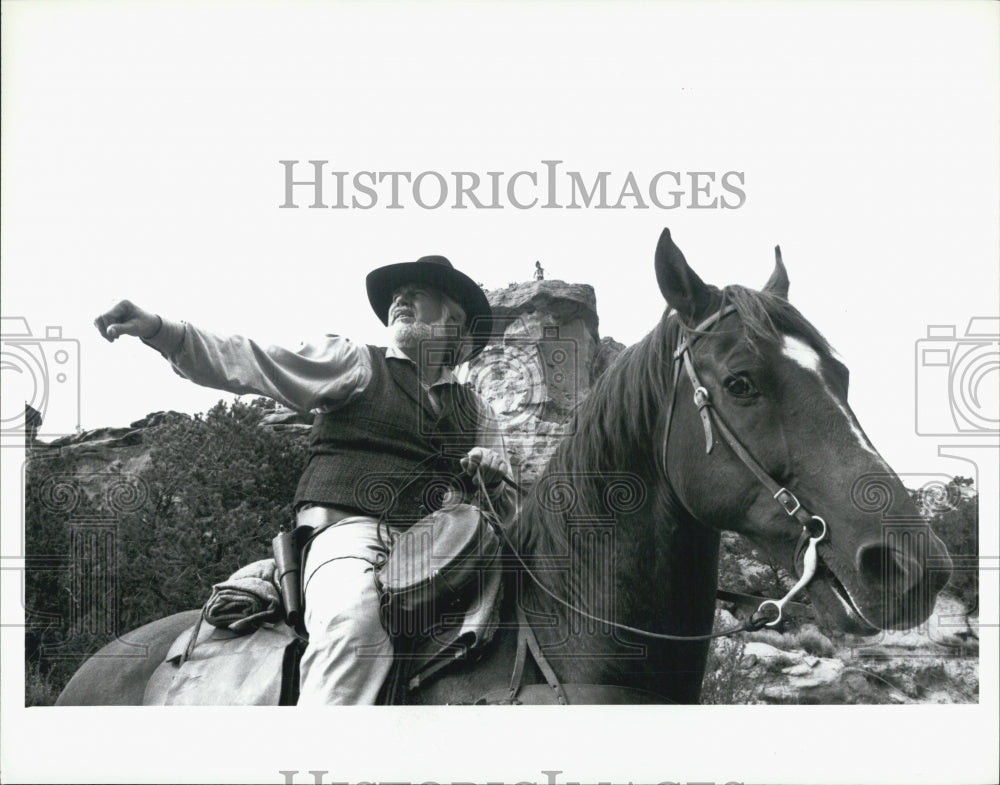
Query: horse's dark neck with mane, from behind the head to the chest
[651, 568]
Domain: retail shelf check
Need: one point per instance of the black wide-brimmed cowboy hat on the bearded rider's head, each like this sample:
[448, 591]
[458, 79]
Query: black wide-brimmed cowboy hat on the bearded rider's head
[437, 272]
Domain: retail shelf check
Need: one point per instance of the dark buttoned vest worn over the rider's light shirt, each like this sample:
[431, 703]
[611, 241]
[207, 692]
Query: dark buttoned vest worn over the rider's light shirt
[386, 452]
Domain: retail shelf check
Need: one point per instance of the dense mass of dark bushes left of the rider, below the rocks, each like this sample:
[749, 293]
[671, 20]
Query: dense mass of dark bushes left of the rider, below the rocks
[214, 492]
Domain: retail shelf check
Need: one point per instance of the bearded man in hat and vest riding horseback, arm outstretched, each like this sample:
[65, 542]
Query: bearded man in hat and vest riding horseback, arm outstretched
[394, 436]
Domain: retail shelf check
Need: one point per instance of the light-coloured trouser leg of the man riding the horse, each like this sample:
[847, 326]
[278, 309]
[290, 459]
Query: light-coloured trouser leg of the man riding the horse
[349, 653]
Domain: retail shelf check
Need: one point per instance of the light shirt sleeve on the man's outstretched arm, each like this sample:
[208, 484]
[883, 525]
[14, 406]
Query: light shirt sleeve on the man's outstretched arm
[319, 376]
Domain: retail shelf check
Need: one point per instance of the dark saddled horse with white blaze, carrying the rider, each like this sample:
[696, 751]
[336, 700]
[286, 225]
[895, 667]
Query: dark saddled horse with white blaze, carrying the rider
[730, 414]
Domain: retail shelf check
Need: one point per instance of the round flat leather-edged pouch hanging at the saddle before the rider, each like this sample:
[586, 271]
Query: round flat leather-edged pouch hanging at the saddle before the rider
[438, 562]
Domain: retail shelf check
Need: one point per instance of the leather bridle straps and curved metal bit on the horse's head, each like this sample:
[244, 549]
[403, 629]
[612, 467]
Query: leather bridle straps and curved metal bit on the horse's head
[813, 527]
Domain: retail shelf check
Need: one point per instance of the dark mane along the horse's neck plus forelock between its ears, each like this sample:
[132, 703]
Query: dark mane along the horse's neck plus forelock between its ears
[610, 451]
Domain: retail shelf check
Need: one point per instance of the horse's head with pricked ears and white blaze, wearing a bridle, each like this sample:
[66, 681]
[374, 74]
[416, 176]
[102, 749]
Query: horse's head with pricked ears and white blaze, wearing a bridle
[775, 384]
